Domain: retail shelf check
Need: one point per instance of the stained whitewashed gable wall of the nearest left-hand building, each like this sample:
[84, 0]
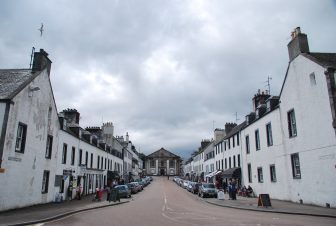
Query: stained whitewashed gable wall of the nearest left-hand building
[24, 171]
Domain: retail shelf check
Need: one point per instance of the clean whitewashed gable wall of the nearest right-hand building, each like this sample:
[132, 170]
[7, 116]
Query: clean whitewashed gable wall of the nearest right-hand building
[315, 141]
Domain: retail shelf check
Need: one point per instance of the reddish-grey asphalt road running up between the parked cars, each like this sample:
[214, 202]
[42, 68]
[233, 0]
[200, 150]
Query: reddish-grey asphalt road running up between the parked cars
[164, 203]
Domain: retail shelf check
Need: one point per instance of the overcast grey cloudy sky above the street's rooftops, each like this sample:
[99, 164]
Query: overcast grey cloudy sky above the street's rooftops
[166, 72]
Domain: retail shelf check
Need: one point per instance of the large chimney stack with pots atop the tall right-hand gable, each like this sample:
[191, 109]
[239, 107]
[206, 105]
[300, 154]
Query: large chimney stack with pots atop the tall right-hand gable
[298, 44]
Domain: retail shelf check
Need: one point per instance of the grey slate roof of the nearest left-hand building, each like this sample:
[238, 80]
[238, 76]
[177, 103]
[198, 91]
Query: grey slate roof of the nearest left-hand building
[12, 81]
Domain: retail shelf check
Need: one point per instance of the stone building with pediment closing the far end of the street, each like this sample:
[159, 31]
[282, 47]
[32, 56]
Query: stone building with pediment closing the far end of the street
[163, 162]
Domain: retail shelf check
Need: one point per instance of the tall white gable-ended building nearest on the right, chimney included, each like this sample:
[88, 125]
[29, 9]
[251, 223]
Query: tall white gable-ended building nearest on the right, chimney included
[308, 120]
